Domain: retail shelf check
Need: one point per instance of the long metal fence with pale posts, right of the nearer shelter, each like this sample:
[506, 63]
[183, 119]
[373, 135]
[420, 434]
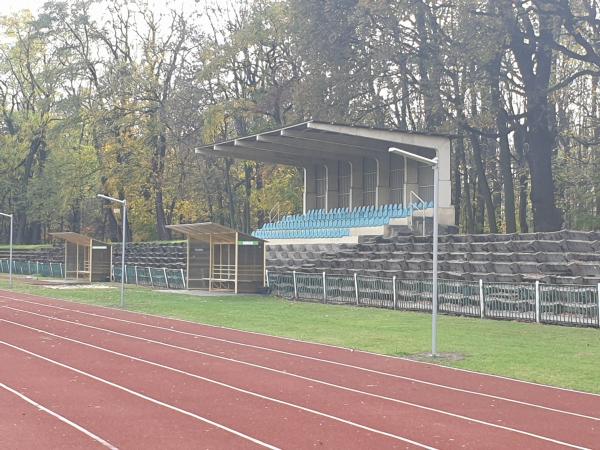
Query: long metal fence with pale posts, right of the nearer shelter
[532, 302]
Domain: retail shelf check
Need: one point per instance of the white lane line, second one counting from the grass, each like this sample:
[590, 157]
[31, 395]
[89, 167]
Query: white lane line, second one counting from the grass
[313, 358]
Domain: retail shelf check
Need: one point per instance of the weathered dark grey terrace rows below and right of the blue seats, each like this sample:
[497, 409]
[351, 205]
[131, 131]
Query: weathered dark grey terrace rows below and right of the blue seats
[565, 257]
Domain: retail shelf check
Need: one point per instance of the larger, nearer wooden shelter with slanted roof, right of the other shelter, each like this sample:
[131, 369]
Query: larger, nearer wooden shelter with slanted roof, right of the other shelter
[221, 258]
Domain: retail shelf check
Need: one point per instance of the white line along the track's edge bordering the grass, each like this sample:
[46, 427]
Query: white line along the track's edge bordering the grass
[308, 343]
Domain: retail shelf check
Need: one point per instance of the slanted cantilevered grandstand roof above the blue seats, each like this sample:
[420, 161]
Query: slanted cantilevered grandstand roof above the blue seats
[318, 142]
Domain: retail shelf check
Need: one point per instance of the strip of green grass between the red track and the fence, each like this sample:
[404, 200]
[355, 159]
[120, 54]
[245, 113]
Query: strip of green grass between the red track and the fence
[554, 355]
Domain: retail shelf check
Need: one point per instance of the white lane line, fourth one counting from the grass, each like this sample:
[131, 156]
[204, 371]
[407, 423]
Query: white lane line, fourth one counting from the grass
[225, 385]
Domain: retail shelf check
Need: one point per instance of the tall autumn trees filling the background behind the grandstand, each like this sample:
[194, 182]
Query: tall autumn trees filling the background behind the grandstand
[113, 97]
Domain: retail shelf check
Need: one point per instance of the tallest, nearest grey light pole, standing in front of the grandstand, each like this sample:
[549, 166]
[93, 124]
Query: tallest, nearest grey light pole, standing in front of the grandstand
[436, 182]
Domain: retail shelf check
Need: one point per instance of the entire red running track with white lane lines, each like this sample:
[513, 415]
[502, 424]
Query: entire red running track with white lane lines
[107, 378]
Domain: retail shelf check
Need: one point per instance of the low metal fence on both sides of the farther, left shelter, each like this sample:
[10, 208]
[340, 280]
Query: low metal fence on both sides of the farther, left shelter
[142, 276]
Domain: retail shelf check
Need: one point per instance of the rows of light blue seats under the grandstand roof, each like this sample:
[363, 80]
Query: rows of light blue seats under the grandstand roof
[335, 223]
